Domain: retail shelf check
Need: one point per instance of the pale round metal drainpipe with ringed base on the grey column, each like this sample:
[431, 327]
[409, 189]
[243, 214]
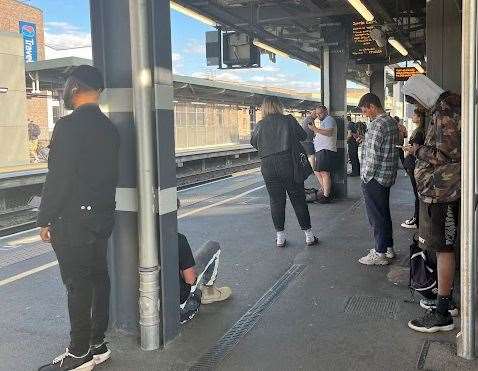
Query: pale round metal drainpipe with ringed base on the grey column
[148, 242]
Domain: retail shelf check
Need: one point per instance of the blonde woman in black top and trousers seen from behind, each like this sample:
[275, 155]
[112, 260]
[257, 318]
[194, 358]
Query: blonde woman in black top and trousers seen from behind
[273, 137]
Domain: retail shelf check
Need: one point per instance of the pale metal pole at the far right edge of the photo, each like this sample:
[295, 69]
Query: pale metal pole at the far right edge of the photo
[466, 338]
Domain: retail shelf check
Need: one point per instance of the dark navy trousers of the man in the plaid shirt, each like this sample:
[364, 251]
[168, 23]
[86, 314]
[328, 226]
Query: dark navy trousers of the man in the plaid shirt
[377, 203]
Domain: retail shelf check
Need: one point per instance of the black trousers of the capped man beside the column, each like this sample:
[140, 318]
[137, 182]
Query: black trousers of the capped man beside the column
[84, 272]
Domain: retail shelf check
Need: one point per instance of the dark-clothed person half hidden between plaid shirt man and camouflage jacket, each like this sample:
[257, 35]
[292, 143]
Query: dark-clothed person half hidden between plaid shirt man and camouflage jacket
[417, 137]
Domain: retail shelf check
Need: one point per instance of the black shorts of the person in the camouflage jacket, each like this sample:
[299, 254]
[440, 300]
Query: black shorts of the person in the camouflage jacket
[439, 226]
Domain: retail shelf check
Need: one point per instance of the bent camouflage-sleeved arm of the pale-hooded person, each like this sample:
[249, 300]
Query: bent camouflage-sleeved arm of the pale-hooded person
[448, 145]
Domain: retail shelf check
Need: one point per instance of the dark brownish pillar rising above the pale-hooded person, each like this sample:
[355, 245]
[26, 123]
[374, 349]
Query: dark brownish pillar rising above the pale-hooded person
[443, 35]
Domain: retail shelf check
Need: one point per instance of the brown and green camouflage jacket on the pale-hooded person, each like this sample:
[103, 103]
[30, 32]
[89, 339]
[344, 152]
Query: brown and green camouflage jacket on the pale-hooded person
[438, 168]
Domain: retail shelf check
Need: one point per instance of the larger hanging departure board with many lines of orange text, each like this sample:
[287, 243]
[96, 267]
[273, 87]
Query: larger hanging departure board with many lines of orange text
[363, 48]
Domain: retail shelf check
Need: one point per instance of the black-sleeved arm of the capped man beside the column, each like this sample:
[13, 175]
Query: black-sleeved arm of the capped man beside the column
[59, 180]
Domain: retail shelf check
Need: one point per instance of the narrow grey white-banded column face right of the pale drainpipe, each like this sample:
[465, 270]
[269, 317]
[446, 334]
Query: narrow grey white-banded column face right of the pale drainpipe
[163, 87]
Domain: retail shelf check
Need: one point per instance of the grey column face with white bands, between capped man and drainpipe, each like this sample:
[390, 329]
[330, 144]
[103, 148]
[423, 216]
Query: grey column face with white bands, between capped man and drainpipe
[112, 55]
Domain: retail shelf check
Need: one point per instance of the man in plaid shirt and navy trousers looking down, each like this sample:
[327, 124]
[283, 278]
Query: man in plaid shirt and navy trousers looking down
[378, 174]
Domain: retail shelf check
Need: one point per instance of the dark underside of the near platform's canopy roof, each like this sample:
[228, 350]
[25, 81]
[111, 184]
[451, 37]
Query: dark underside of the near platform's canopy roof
[300, 28]
